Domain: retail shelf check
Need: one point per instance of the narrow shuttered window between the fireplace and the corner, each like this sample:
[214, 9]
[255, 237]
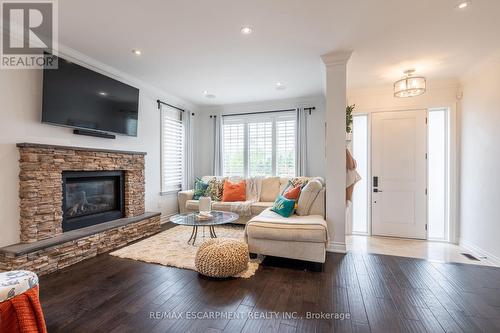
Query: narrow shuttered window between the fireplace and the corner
[172, 149]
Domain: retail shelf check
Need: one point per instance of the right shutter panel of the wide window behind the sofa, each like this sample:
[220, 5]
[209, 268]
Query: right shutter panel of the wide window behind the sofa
[285, 146]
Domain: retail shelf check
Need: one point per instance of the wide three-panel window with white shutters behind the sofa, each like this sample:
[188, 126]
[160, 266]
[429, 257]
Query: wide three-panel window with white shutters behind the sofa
[259, 145]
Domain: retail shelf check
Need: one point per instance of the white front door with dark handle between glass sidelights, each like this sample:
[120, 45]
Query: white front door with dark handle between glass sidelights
[399, 174]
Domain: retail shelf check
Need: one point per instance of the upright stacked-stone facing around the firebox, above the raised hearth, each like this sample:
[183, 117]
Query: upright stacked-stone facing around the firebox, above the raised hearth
[40, 186]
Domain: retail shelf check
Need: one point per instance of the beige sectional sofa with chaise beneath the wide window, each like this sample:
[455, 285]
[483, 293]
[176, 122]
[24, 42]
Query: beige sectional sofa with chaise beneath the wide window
[302, 237]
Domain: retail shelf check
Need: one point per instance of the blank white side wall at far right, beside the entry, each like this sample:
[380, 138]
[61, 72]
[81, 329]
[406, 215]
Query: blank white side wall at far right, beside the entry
[480, 163]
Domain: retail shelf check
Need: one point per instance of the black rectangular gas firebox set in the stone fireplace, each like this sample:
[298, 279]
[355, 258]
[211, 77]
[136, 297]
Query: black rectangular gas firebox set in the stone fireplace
[91, 197]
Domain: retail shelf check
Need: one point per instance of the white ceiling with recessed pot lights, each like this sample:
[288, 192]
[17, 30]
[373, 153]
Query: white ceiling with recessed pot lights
[190, 46]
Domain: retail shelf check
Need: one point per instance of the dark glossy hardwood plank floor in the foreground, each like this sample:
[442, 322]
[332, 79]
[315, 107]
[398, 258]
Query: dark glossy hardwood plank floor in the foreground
[377, 293]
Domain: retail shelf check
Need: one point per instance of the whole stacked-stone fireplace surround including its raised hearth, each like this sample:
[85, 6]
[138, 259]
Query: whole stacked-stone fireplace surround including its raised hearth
[44, 247]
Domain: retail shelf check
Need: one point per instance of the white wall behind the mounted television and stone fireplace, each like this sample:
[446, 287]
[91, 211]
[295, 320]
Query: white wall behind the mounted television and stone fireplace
[20, 114]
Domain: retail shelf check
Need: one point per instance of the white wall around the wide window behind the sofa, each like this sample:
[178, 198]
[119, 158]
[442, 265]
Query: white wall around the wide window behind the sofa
[316, 129]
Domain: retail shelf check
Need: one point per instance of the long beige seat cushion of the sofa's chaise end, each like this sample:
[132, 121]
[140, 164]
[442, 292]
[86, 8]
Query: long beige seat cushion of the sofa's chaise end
[271, 226]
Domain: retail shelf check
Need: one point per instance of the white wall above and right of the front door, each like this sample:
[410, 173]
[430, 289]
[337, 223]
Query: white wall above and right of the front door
[439, 94]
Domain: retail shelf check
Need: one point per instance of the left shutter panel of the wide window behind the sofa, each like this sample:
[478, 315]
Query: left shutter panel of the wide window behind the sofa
[233, 147]
